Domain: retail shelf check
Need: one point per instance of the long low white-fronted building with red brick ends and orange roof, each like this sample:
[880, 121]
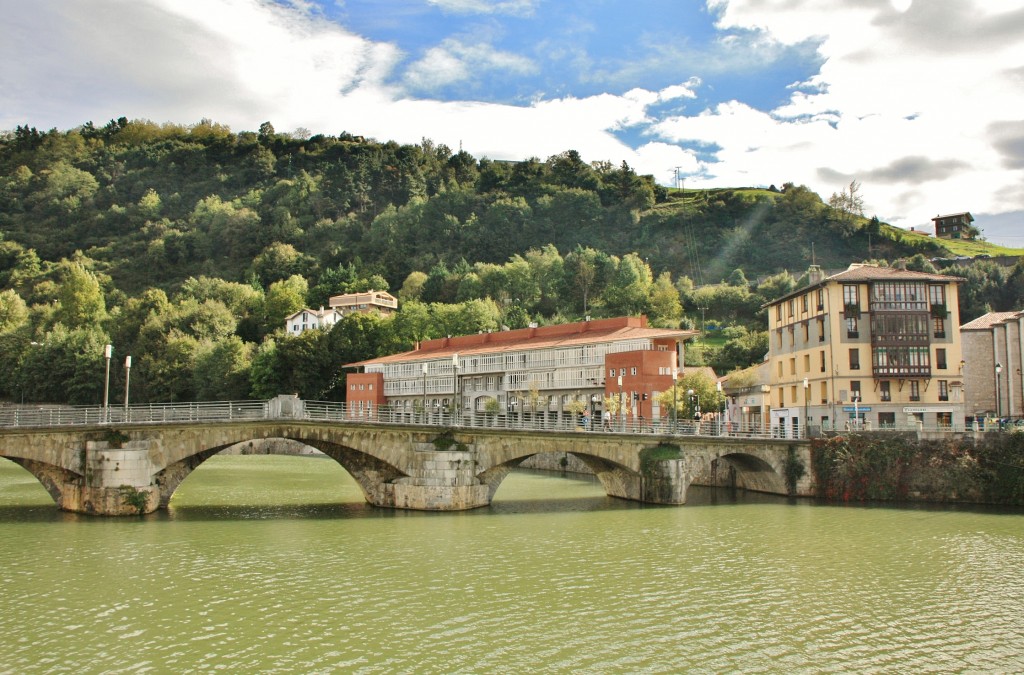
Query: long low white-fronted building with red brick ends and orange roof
[533, 372]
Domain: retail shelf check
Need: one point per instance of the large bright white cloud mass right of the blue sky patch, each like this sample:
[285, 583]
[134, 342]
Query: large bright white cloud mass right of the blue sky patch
[909, 102]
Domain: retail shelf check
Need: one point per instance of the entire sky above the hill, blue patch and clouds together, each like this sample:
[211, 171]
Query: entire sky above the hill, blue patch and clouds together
[918, 101]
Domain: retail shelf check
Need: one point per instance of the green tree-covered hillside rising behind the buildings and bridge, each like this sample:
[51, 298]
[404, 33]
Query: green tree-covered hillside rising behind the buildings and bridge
[187, 247]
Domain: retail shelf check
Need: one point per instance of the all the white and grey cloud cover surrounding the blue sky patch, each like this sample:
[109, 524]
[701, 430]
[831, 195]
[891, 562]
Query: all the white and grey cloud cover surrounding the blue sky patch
[918, 101]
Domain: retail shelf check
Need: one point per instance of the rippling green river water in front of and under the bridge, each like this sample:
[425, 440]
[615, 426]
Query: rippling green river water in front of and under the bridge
[276, 565]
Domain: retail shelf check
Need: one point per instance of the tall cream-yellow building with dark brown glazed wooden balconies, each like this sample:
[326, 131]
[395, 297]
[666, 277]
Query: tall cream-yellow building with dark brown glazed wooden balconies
[868, 348]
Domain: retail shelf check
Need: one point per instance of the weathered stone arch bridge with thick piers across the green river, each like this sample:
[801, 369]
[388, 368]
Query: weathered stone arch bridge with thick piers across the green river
[124, 468]
